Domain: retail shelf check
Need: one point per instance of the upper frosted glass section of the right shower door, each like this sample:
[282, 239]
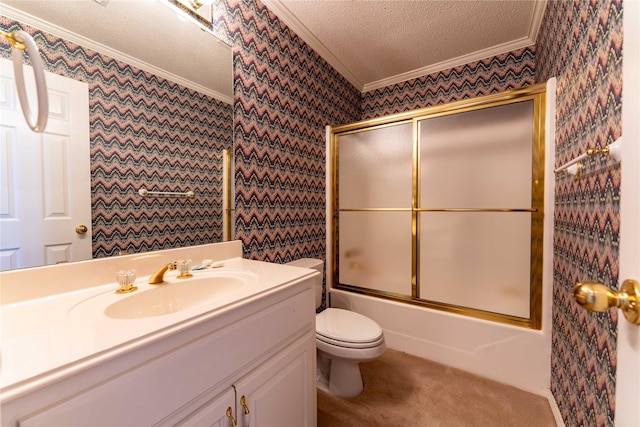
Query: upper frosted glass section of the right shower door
[477, 159]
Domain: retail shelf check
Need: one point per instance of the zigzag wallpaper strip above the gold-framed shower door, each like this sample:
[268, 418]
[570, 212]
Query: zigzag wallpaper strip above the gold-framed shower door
[511, 70]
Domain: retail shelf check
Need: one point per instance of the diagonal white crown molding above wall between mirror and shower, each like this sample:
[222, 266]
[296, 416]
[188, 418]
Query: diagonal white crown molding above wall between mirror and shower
[284, 14]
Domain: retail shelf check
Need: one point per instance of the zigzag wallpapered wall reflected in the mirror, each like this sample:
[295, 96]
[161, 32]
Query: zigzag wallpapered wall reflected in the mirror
[148, 132]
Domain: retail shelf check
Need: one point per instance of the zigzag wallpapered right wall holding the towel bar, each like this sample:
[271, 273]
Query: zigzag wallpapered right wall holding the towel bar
[581, 43]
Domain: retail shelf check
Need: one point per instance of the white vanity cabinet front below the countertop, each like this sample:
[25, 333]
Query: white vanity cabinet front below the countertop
[262, 349]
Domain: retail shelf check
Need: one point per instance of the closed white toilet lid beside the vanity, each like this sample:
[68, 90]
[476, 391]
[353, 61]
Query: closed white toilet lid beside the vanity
[347, 326]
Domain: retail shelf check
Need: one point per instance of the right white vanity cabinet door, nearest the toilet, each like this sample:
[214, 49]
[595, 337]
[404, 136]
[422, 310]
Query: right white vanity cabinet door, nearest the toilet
[282, 391]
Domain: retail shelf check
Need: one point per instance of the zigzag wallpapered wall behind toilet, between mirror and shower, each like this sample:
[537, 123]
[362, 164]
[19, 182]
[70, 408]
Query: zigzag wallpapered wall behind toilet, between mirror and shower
[284, 96]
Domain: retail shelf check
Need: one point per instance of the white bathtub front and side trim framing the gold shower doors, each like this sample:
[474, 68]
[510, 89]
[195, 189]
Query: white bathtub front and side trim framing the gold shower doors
[511, 355]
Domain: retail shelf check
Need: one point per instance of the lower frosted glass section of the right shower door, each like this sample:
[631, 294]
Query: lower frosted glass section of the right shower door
[476, 260]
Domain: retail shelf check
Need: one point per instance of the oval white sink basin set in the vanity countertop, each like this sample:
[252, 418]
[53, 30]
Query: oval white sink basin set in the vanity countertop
[176, 296]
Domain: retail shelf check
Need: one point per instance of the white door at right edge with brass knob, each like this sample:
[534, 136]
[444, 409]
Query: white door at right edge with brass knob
[628, 366]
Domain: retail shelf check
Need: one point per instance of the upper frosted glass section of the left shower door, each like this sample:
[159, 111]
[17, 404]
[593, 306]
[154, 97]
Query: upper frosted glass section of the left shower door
[375, 168]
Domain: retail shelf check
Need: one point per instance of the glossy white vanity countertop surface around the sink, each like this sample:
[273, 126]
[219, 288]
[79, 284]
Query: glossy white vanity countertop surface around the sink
[44, 339]
